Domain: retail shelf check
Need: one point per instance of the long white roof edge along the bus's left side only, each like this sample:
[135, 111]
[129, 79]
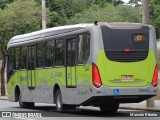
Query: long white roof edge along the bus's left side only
[34, 36]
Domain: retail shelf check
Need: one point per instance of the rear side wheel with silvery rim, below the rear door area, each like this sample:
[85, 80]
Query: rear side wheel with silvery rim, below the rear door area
[60, 107]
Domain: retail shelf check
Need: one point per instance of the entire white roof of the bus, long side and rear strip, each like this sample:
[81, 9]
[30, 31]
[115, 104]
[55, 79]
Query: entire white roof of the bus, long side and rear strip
[61, 30]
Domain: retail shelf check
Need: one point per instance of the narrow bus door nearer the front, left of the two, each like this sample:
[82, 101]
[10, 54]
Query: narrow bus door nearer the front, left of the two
[31, 66]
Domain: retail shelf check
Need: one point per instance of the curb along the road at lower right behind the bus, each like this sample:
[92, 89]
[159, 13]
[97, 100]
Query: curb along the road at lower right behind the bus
[146, 109]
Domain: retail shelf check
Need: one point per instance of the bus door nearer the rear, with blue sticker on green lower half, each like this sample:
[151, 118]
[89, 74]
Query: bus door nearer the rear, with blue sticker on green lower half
[70, 63]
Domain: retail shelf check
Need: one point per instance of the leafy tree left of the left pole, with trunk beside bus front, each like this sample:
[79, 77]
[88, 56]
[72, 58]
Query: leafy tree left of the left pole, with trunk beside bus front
[18, 17]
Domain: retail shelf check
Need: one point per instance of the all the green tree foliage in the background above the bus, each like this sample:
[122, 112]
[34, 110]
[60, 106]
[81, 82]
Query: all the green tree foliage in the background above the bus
[23, 16]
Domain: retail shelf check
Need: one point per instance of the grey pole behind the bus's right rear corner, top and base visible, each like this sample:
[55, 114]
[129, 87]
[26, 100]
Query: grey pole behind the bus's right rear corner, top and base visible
[145, 19]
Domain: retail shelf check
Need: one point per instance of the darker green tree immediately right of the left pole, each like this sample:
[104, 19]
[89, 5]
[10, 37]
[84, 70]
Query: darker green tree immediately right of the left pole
[65, 9]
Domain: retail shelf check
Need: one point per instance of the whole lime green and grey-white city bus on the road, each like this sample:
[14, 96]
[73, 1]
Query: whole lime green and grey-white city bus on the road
[100, 64]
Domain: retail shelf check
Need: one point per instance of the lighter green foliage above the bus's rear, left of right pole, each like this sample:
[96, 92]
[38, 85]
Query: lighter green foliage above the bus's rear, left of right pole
[108, 13]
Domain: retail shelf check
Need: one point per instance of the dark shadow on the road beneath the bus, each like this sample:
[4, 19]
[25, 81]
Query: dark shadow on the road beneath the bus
[51, 112]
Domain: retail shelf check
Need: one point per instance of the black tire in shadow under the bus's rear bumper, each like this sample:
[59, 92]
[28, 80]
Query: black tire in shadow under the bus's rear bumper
[109, 108]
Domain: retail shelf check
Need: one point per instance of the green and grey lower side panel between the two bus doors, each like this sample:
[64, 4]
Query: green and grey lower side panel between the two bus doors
[45, 81]
